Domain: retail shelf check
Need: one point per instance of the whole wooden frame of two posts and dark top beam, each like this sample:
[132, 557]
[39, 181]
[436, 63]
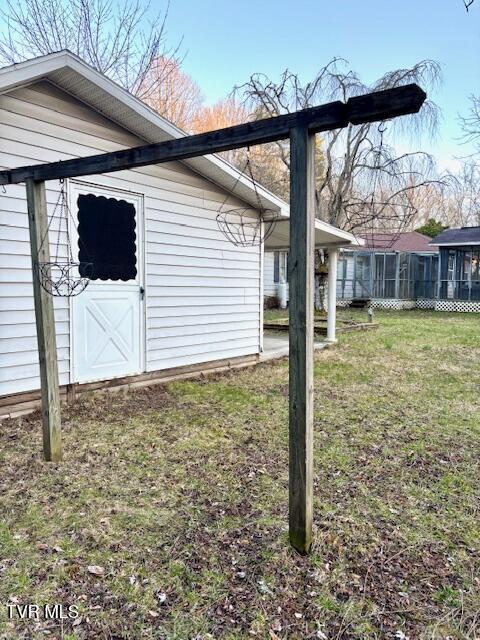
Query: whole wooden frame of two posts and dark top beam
[300, 127]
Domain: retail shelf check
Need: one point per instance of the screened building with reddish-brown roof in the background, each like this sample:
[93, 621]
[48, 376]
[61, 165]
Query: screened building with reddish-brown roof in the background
[392, 269]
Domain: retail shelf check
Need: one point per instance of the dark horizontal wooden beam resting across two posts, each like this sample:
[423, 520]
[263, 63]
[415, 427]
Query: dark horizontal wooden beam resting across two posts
[371, 107]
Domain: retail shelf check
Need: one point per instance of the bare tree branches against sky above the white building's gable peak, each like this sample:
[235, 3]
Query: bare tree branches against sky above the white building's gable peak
[107, 35]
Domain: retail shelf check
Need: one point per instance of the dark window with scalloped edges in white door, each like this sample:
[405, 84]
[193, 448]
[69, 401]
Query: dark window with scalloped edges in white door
[106, 238]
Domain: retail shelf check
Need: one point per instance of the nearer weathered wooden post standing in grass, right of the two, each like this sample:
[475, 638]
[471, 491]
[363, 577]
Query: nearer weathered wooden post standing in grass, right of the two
[301, 277]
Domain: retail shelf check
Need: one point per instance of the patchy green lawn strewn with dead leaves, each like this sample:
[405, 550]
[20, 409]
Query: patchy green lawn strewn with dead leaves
[168, 516]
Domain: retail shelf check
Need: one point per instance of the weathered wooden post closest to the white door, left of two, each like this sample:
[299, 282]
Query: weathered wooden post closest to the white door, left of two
[47, 347]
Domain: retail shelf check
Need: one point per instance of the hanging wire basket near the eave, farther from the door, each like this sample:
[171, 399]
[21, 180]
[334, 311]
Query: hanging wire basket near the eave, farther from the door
[238, 225]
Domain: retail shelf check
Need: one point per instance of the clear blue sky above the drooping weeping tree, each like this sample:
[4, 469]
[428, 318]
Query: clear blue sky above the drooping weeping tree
[225, 42]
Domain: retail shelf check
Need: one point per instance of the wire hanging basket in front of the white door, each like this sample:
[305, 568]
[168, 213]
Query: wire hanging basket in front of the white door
[60, 276]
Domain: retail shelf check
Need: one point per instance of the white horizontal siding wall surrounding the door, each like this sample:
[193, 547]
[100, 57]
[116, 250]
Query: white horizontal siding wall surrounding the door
[203, 294]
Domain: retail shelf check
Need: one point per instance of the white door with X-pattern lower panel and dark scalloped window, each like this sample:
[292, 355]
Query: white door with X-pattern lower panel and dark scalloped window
[107, 326]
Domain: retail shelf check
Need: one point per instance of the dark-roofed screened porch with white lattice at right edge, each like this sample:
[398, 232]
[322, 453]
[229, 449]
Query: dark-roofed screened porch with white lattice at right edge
[459, 270]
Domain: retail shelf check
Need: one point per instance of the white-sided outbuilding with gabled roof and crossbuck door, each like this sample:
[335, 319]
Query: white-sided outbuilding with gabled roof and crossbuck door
[172, 295]
